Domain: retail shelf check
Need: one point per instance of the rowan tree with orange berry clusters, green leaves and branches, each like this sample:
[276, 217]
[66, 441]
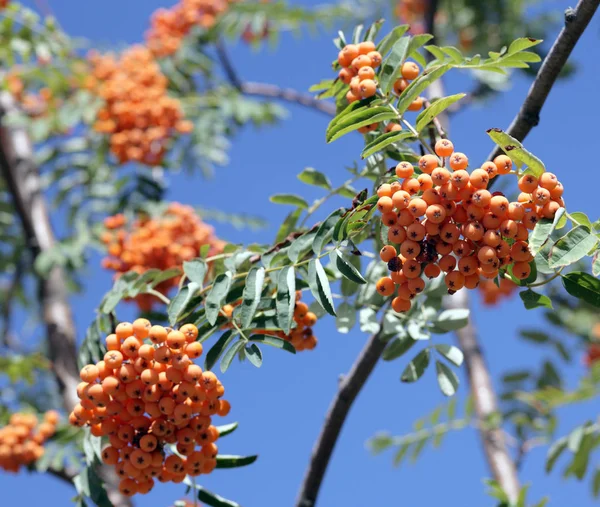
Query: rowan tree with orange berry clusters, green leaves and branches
[90, 140]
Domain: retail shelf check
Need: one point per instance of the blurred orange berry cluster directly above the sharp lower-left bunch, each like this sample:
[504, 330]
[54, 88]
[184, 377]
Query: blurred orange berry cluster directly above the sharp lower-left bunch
[157, 243]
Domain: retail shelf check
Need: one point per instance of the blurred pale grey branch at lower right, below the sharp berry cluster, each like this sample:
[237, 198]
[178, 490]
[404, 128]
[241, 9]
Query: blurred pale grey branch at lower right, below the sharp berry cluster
[498, 458]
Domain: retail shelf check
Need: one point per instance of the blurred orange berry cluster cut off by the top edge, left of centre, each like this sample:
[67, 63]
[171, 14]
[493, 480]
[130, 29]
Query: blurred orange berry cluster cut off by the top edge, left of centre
[169, 26]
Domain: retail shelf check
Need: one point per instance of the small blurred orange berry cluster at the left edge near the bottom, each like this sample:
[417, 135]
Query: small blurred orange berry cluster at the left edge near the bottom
[22, 439]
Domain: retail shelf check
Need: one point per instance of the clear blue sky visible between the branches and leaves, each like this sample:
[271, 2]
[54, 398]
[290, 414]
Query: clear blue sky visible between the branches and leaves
[281, 406]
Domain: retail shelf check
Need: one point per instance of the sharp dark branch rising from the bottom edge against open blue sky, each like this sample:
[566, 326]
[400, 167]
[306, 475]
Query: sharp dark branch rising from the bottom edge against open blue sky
[349, 387]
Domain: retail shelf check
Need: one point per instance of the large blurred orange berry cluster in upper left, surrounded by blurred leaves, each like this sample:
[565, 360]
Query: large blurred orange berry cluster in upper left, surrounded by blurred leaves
[138, 115]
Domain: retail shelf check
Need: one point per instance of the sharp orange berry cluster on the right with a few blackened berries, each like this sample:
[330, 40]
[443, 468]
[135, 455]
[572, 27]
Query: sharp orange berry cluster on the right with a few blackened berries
[446, 220]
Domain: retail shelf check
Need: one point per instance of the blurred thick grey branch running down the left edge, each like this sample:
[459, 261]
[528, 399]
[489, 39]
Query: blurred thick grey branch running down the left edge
[23, 182]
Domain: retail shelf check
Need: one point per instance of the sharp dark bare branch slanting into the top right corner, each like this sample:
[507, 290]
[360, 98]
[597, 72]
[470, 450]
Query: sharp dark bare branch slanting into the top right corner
[576, 21]
